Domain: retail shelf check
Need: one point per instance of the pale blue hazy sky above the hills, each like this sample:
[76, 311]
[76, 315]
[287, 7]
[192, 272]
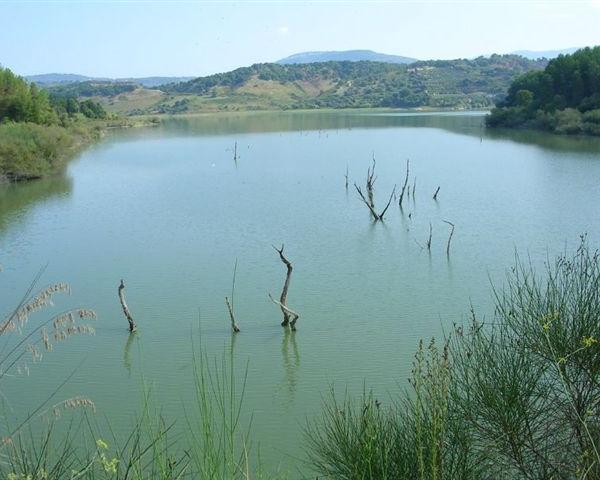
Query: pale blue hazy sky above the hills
[133, 38]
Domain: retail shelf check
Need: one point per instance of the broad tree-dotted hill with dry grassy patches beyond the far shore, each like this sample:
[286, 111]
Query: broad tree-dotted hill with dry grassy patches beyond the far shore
[458, 84]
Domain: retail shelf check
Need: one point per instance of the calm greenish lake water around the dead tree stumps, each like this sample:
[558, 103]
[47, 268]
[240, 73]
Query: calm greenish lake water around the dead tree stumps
[169, 210]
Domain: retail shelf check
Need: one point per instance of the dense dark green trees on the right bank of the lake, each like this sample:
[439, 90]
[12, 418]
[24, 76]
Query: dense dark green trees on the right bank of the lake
[563, 98]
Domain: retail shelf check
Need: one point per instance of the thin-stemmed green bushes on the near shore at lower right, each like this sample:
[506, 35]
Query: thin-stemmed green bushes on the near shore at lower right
[518, 398]
